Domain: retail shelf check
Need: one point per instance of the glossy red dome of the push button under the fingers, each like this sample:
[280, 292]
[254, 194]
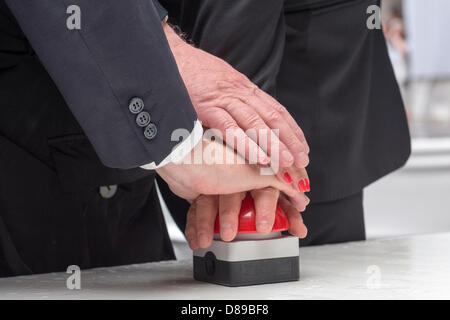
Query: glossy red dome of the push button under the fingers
[247, 218]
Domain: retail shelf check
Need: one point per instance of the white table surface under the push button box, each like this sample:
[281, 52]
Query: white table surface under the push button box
[416, 267]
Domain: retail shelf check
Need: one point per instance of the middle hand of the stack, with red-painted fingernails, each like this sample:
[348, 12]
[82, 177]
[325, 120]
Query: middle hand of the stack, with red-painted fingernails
[212, 168]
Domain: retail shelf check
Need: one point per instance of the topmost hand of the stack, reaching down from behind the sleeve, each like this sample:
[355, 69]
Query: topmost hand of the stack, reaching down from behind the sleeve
[227, 100]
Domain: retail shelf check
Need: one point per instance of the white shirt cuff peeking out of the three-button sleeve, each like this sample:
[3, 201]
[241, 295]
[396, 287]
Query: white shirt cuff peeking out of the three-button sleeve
[181, 150]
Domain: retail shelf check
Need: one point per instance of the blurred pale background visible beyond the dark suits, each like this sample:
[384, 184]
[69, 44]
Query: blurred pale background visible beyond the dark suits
[415, 199]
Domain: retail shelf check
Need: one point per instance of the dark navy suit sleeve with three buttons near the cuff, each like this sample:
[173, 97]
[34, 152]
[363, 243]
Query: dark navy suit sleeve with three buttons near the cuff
[119, 53]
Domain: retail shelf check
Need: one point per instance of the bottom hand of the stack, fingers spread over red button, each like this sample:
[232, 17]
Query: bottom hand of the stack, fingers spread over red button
[203, 211]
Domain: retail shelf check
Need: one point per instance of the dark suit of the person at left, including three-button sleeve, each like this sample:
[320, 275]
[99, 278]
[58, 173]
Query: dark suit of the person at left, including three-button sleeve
[52, 213]
